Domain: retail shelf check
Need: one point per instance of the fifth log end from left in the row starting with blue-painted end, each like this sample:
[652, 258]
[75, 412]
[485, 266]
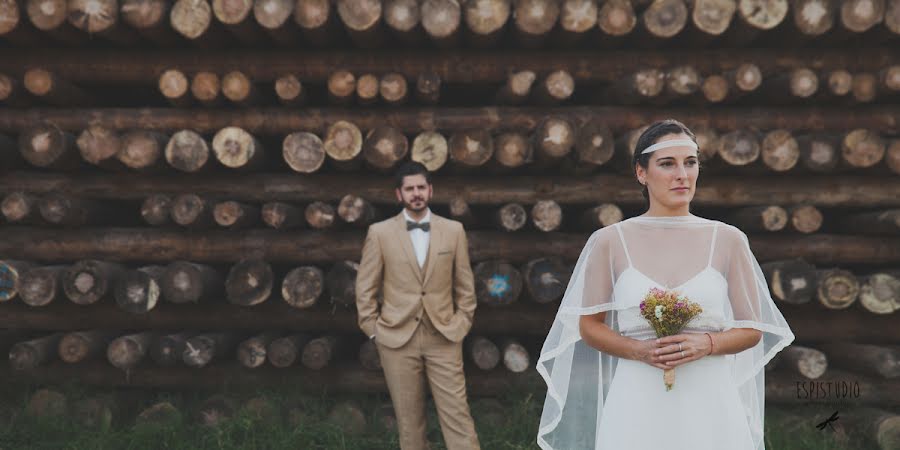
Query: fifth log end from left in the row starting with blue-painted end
[187, 282]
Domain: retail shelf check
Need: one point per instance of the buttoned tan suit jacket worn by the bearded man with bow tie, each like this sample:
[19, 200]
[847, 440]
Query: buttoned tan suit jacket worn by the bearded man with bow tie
[444, 289]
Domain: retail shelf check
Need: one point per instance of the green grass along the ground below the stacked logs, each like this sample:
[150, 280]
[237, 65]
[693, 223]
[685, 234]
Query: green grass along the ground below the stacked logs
[509, 424]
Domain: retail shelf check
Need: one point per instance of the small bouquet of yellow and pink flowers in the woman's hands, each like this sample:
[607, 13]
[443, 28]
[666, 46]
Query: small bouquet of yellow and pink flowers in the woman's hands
[668, 312]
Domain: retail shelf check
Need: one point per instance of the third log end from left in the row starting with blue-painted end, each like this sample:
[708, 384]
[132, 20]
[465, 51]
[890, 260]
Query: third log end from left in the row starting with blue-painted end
[88, 281]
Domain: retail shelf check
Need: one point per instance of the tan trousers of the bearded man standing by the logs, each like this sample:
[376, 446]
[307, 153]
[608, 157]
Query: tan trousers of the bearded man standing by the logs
[428, 354]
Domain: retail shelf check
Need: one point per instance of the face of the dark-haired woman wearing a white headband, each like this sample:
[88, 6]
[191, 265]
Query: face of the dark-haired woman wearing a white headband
[671, 175]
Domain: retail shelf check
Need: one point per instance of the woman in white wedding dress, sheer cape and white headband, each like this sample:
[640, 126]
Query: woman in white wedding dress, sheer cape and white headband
[602, 362]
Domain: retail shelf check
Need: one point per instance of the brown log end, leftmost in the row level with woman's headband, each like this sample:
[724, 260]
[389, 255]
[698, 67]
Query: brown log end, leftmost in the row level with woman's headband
[49, 147]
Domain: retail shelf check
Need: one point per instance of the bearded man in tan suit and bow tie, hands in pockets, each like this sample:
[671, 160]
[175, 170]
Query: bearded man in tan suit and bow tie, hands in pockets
[420, 262]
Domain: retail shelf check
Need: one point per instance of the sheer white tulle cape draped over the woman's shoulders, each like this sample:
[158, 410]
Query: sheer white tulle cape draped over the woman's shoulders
[662, 248]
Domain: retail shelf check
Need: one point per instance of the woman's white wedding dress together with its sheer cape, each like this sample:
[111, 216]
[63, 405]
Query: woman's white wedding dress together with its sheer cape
[598, 401]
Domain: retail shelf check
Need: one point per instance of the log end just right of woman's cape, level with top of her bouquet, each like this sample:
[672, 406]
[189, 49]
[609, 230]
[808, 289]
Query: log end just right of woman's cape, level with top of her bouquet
[791, 281]
